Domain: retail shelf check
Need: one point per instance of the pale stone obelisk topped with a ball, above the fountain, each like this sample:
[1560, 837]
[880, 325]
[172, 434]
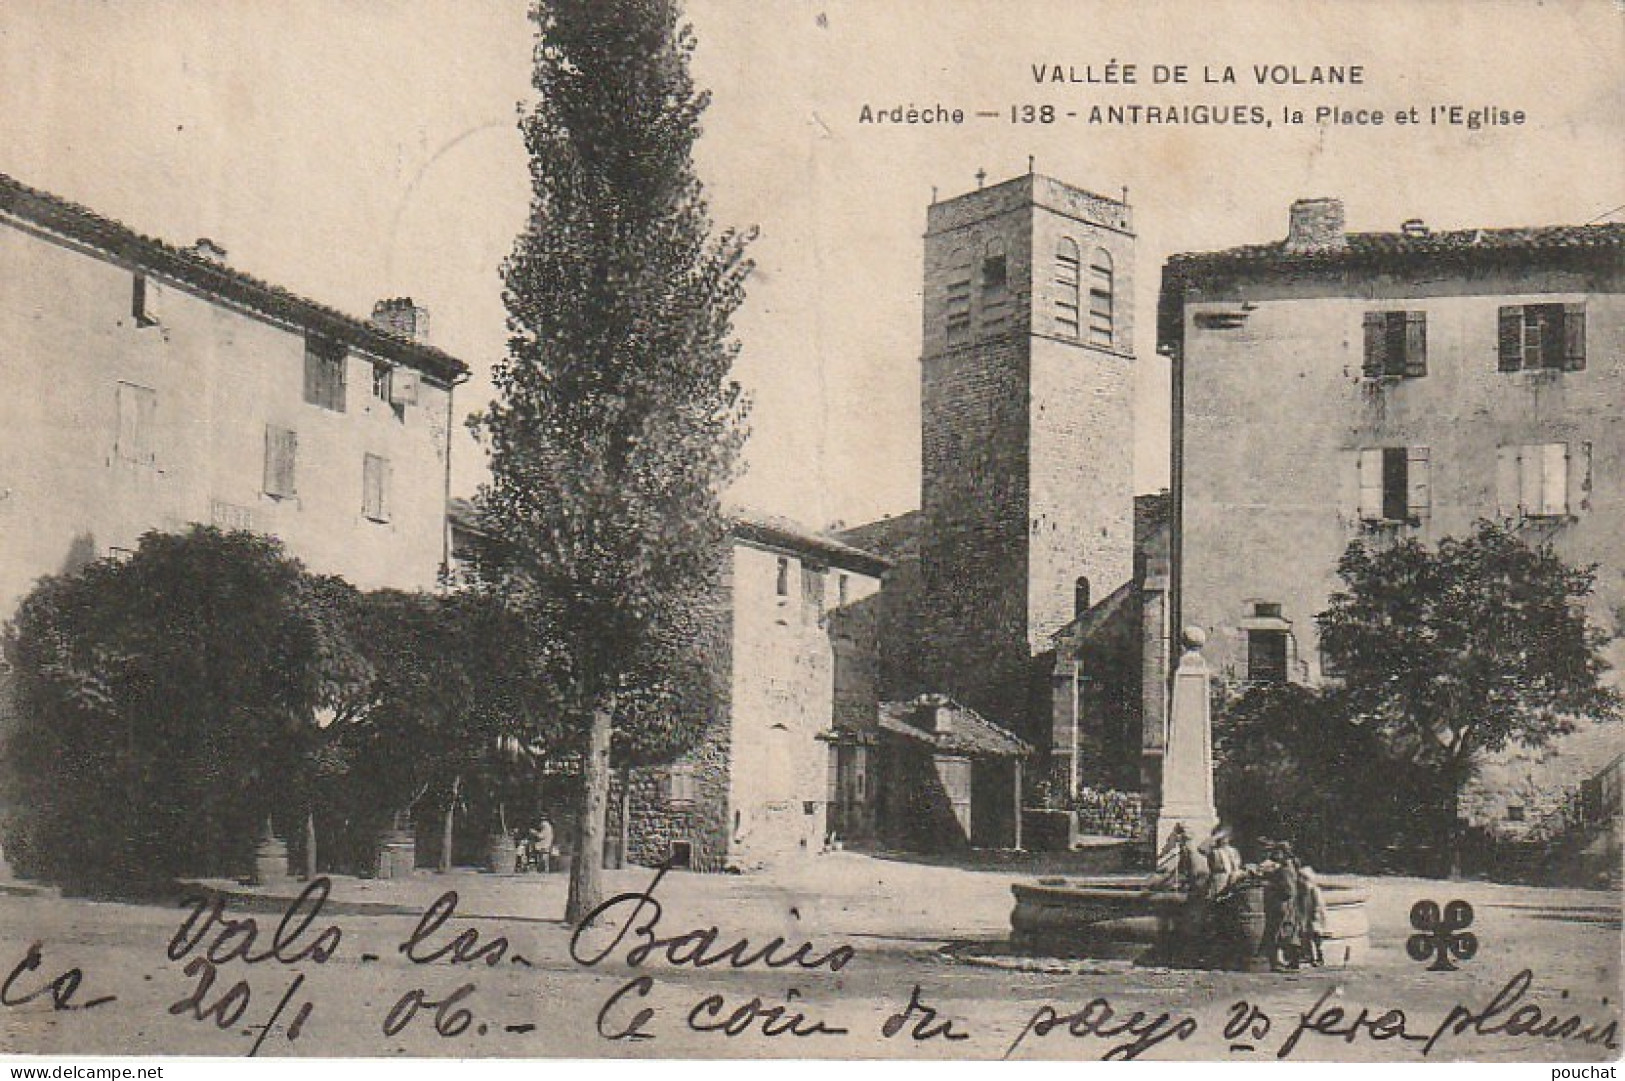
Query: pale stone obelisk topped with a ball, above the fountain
[1189, 762]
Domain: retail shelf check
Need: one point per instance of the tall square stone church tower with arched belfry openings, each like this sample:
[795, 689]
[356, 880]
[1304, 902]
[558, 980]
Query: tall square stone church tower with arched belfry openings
[1028, 433]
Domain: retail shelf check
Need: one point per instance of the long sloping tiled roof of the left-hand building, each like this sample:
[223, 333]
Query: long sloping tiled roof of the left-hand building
[123, 245]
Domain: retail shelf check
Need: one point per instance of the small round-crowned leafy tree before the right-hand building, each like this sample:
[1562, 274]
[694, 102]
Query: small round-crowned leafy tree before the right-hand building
[1460, 651]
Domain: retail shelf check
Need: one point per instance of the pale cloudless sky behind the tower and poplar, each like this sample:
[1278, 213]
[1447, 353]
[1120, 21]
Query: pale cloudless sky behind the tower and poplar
[366, 149]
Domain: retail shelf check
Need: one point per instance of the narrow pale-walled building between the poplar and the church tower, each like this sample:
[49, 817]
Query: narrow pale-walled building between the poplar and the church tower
[794, 656]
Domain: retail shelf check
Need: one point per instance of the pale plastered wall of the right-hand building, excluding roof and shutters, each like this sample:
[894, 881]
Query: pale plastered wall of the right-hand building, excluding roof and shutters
[1276, 412]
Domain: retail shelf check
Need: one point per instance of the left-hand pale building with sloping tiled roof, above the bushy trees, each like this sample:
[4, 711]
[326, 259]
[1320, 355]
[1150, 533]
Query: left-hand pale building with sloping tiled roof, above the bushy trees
[154, 388]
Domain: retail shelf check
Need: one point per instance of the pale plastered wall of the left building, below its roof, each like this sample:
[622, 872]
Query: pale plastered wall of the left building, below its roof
[215, 376]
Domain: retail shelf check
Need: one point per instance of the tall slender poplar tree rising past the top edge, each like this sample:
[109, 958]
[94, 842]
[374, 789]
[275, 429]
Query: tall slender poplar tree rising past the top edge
[617, 422]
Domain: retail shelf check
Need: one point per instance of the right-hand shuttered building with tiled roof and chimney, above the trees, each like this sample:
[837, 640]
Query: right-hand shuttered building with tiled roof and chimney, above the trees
[1390, 384]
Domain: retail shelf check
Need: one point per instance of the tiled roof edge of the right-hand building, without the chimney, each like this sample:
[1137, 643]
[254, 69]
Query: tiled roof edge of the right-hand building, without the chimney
[1491, 245]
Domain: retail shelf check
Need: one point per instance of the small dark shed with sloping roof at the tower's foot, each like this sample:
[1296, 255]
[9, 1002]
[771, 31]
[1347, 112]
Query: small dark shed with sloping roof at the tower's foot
[951, 778]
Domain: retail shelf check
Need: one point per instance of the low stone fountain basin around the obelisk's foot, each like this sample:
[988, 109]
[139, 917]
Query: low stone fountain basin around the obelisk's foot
[1120, 918]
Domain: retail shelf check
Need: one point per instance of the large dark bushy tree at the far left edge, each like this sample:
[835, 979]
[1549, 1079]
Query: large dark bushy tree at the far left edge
[162, 708]
